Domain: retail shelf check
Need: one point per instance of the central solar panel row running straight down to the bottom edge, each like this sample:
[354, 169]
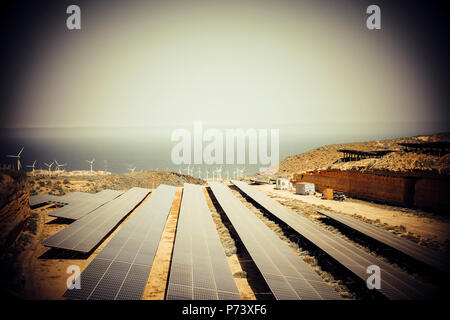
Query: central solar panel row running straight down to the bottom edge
[199, 269]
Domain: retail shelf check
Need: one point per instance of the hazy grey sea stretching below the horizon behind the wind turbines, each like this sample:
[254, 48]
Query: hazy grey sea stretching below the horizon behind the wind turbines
[116, 149]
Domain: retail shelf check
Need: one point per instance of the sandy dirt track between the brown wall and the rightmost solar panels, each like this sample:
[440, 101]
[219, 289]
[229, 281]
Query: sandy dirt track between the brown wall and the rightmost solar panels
[424, 225]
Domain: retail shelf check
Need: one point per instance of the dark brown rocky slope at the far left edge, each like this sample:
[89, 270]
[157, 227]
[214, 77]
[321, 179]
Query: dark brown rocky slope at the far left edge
[14, 208]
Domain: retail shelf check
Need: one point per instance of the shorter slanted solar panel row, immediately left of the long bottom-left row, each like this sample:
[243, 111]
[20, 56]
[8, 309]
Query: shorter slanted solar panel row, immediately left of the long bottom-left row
[84, 234]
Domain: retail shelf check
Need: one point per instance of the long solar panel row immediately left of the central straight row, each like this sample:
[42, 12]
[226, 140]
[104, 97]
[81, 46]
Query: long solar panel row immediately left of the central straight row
[120, 271]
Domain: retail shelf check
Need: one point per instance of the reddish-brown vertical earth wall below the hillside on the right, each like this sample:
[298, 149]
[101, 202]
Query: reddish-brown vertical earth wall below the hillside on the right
[427, 193]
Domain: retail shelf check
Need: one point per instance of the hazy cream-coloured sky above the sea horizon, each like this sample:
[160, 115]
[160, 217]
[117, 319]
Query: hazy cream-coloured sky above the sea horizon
[173, 62]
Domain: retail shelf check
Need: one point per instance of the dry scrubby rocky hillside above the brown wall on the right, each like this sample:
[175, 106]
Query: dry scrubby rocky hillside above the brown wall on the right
[327, 157]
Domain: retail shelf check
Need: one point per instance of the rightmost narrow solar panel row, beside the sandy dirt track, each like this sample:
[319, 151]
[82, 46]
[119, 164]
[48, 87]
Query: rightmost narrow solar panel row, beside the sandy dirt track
[426, 255]
